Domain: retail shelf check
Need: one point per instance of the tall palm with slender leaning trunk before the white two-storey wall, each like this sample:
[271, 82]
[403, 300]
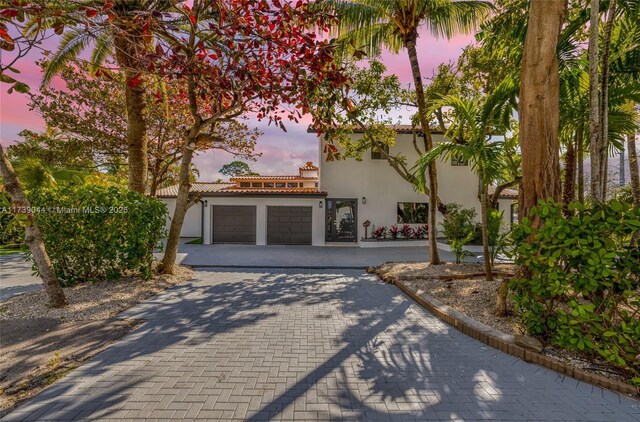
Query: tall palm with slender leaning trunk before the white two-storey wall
[394, 25]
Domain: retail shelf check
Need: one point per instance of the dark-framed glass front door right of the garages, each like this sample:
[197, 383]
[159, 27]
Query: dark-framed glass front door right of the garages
[342, 217]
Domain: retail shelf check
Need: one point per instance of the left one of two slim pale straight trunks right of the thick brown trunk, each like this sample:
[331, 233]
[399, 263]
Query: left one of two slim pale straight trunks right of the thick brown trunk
[594, 108]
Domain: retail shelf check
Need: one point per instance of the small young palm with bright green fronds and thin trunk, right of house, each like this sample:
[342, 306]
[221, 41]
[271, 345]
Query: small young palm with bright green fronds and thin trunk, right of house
[474, 120]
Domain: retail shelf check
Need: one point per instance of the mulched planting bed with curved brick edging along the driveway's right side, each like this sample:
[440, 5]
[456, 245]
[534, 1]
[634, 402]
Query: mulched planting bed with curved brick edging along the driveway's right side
[468, 304]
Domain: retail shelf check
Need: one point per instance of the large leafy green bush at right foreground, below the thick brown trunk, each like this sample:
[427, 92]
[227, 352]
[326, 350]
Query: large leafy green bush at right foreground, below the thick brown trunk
[582, 285]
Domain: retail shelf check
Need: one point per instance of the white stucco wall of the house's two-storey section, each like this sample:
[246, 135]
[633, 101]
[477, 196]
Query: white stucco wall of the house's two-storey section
[383, 187]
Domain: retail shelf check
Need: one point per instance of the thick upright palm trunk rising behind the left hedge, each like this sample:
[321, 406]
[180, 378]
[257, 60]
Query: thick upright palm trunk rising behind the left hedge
[126, 52]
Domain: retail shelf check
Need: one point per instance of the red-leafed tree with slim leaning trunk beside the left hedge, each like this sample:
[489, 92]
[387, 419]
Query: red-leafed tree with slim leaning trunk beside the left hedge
[236, 57]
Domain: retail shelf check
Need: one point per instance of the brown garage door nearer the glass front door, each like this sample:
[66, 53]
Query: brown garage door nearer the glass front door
[289, 225]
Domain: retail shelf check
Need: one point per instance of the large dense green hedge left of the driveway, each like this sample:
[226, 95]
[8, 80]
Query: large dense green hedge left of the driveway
[98, 233]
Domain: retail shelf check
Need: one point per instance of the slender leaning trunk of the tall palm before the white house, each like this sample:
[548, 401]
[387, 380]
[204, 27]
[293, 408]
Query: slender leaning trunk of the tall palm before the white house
[410, 44]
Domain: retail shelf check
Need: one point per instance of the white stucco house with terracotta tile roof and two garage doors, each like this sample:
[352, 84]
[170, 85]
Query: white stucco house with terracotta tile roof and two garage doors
[328, 204]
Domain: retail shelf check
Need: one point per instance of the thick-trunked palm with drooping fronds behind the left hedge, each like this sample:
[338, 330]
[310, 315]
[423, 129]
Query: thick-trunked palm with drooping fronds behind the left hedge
[124, 40]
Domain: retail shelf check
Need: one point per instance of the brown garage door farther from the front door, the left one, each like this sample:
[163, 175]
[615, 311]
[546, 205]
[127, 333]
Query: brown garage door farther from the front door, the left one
[234, 224]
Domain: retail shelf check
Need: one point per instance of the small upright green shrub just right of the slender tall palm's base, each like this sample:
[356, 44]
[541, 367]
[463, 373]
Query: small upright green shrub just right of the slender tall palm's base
[459, 228]
